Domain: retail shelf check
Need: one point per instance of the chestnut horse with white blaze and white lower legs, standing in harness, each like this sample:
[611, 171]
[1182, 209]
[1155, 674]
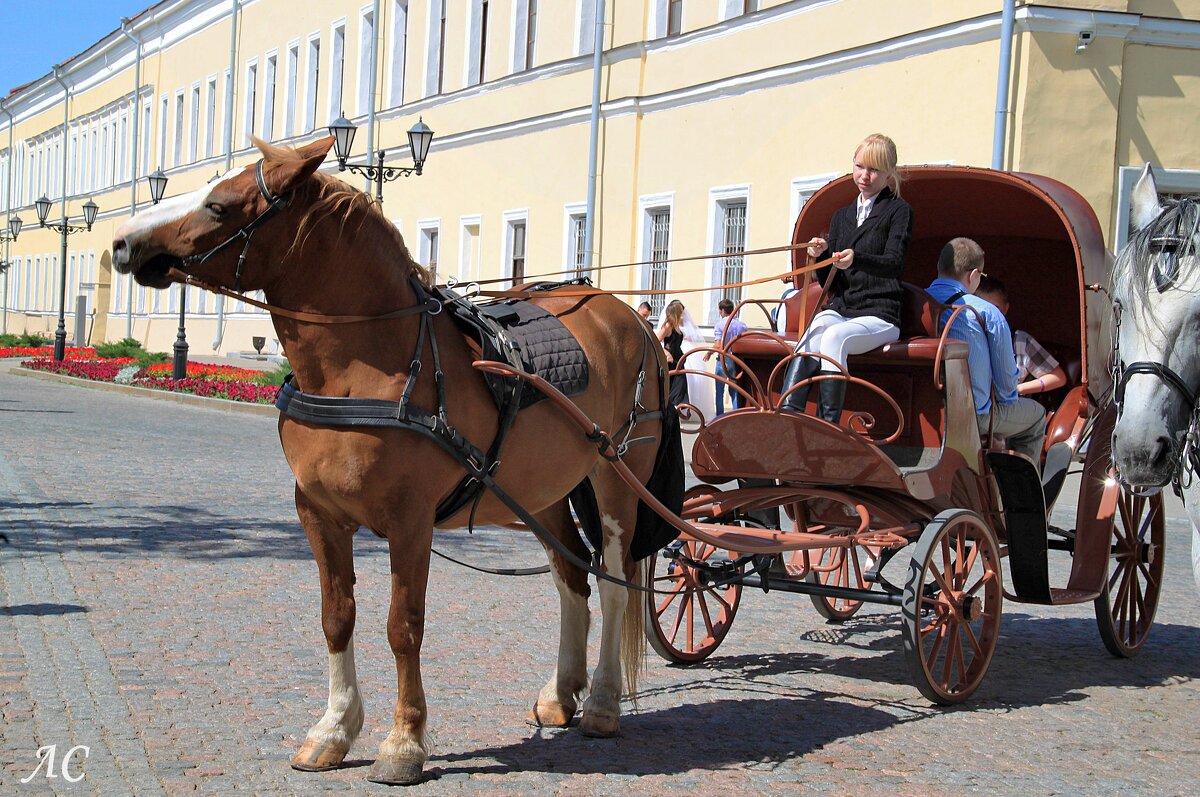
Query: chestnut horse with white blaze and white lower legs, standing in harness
[314, 245]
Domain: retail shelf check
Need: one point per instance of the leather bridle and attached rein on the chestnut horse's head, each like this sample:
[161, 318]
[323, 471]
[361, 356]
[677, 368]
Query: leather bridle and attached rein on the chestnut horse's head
[275, 205]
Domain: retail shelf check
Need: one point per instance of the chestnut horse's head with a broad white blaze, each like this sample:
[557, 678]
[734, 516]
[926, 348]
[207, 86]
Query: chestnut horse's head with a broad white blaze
[205, 232]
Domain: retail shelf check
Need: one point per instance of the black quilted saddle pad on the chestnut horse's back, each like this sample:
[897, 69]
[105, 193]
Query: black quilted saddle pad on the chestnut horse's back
[544, 345]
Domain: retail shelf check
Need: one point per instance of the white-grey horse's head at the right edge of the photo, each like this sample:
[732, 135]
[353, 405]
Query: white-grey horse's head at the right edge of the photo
[1157, 297]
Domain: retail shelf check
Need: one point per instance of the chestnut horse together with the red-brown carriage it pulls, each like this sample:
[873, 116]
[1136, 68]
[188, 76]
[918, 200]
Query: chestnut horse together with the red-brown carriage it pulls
[403, 433]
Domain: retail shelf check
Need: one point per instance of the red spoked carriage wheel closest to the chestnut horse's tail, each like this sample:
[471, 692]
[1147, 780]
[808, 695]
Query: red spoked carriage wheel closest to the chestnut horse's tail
[688, 625]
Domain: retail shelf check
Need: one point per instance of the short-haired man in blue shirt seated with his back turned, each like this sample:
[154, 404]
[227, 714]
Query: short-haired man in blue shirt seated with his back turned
[989, 352]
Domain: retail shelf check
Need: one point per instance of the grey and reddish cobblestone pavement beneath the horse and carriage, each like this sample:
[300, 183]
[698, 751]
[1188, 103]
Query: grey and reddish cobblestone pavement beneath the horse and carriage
[159, 604]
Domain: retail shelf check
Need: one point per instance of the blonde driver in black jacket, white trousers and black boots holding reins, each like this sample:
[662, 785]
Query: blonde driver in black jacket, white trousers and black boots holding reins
[868, 243]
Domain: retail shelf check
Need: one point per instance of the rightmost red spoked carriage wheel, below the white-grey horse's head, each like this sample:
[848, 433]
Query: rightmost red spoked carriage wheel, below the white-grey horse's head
[1125, 612]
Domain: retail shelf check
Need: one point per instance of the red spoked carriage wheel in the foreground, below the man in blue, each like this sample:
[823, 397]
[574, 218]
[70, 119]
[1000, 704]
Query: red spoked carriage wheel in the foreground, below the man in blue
[952, 606]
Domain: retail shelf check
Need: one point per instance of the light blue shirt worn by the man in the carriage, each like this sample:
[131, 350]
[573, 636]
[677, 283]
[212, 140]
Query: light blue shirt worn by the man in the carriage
[991, 356]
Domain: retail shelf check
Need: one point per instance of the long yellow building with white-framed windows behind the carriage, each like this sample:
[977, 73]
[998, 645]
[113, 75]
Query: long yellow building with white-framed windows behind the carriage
[717, 119]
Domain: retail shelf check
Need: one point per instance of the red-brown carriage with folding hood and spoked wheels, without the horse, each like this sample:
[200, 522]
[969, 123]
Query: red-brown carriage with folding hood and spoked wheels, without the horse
[903, 504]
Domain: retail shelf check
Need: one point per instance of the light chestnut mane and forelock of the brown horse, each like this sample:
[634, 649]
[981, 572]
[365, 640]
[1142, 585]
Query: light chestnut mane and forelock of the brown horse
[327, 197]
